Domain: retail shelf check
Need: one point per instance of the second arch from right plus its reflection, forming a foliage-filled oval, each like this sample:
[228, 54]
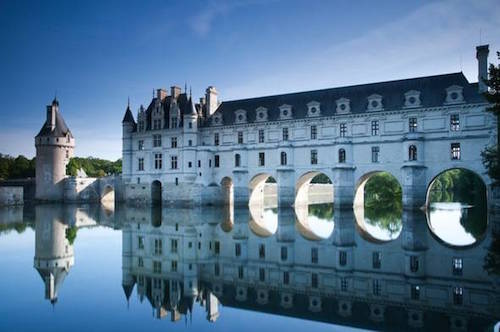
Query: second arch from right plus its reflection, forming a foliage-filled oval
[378, 206]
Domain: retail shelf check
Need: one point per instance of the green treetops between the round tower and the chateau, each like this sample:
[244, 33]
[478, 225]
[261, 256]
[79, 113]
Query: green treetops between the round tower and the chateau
[94, 167]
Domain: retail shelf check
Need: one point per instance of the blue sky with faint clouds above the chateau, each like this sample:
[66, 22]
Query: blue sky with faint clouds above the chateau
[96, 54]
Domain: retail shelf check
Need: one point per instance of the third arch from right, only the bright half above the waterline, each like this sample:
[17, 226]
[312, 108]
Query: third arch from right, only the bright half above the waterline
[303, 192]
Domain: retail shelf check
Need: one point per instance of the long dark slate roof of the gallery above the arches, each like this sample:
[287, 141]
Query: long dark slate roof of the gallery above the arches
[432, 93]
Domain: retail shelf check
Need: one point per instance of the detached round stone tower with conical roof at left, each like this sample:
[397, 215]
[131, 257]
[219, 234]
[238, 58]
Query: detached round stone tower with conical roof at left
[54, 148]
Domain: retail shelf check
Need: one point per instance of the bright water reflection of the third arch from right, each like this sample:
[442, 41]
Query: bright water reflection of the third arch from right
[310, 226]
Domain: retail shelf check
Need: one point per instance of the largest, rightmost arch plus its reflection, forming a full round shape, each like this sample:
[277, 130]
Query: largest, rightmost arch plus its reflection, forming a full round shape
[457, 207]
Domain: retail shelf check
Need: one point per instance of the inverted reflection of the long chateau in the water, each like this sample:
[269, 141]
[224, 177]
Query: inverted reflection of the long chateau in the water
[411, 281]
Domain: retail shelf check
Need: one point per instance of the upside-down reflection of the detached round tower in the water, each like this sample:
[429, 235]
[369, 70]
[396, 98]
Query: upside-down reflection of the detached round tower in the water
[53, 251]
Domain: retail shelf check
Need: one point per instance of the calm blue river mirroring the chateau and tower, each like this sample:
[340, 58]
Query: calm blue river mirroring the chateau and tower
[313, 268]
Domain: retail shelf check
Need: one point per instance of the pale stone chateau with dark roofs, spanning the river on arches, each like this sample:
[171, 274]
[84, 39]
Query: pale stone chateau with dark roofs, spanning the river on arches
[182, 151]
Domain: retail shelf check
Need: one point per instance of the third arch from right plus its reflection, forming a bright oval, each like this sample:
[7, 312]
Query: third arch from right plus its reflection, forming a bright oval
[314, 206]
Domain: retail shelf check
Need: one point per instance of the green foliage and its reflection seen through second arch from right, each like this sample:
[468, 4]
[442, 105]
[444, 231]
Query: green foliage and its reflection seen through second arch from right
[383, 202]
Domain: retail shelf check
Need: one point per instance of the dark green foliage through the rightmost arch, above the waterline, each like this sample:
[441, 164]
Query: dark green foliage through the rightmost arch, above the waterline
[458, 185]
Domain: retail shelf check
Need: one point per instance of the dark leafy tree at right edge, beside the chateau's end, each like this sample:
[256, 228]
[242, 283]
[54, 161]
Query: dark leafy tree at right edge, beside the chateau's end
[491, 155]
